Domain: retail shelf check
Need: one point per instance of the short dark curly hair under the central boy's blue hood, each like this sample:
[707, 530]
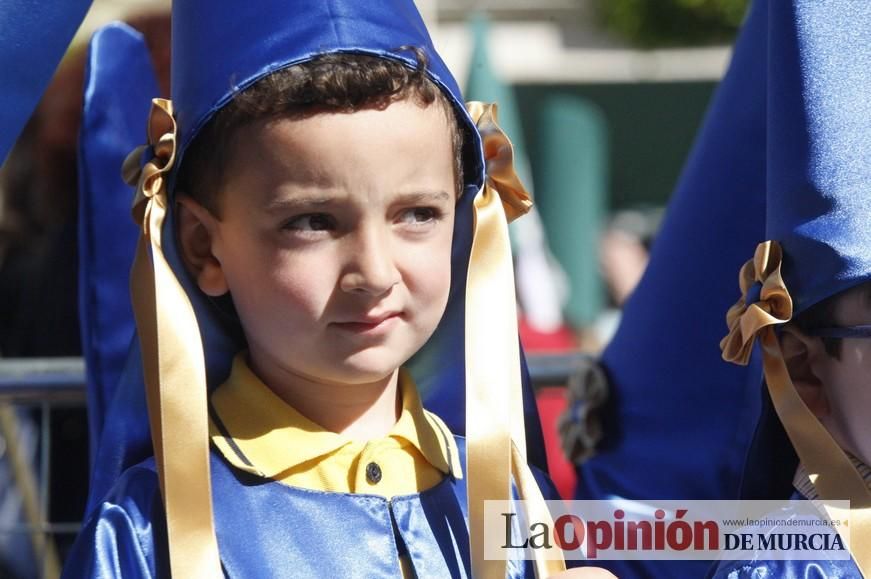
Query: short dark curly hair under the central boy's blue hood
[341, 82]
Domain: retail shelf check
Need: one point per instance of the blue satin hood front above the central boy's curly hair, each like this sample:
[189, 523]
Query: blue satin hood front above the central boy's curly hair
[242, 46]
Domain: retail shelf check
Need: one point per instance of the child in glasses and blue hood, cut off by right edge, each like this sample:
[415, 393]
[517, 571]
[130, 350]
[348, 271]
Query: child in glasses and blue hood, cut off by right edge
[813, 280]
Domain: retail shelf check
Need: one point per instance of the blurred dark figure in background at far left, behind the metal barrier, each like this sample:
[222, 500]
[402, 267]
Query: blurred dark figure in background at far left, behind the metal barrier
[38, 294]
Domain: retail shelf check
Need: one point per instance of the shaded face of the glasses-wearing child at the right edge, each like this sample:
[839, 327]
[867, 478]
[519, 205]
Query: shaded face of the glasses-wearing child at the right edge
[846, 382]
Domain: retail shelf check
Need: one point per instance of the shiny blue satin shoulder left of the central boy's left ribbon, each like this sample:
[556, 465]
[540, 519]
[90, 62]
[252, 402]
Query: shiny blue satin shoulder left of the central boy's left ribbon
[121, 536]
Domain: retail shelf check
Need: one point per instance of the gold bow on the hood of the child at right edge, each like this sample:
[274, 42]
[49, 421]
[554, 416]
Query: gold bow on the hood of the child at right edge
[773, 307]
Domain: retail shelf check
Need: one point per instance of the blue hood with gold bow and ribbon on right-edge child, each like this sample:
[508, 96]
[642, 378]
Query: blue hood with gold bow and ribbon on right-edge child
[818, 207]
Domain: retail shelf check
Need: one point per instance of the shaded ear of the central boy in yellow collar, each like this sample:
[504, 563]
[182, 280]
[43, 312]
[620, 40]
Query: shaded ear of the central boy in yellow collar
[196, 230]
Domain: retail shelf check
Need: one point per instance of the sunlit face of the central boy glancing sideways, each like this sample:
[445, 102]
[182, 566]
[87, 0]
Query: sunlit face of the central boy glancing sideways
[335, 240]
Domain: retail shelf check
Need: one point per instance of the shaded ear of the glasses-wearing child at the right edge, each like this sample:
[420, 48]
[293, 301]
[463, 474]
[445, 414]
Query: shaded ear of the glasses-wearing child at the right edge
[804, 356]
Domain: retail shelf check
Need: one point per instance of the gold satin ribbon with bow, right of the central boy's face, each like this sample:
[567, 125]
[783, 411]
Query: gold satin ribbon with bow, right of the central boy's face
[494, 401]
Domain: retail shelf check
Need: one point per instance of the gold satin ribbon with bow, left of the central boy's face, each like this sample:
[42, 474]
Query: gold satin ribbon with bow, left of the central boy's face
[173, 363]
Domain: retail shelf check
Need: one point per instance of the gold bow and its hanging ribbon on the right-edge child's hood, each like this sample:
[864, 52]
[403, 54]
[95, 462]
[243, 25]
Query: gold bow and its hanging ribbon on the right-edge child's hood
[832, 473]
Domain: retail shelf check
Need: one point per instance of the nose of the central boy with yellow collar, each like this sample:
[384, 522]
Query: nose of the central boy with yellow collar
[371, 267]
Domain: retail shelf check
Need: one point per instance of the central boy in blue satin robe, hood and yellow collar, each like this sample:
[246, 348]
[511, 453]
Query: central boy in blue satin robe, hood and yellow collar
[322, 178]
